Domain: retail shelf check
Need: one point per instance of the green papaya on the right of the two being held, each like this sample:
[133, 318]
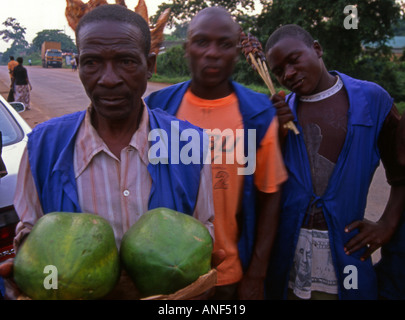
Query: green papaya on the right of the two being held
[165, 251]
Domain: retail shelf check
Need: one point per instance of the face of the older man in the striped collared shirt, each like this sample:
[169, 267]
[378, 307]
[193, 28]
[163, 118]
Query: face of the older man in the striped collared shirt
[113, 67]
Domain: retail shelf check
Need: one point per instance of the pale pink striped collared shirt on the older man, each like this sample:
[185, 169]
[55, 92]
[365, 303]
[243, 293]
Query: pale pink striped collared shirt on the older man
[115, 189]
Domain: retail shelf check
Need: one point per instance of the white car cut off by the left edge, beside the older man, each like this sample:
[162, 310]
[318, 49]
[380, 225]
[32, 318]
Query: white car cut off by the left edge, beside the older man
[14, 131]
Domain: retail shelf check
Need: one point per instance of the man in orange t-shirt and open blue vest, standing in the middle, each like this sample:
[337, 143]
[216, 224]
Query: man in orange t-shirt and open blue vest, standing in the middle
[246, 193]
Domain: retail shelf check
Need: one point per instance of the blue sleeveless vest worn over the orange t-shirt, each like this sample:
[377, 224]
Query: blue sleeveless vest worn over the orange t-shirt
[257, 113]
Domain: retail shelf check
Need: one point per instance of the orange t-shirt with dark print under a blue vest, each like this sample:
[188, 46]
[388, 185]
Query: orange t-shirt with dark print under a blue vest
[223, 114]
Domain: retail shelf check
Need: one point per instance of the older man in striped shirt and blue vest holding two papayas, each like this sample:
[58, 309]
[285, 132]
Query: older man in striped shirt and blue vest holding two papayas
[97, 160]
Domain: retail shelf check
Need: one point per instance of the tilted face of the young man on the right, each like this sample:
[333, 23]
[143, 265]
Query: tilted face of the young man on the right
[296, 66]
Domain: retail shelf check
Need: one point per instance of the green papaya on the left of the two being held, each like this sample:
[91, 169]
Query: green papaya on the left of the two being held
[68, 256]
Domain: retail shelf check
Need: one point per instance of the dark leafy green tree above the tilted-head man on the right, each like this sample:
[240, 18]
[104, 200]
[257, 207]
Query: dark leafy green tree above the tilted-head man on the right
[325, 21]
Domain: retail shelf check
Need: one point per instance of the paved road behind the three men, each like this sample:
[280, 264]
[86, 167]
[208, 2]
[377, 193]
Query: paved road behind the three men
[59, 91]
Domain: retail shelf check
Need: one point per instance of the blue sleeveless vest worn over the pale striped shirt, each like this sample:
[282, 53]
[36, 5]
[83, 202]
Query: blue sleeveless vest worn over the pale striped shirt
[50, 150]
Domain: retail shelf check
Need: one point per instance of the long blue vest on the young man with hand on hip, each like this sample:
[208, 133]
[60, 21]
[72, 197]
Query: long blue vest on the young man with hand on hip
[344, 200]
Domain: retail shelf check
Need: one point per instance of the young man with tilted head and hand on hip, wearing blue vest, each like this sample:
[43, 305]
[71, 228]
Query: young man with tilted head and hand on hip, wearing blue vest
[346, 125]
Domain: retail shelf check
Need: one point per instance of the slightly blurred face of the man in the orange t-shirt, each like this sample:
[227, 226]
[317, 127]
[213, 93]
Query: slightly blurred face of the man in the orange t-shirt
[212, 50]
